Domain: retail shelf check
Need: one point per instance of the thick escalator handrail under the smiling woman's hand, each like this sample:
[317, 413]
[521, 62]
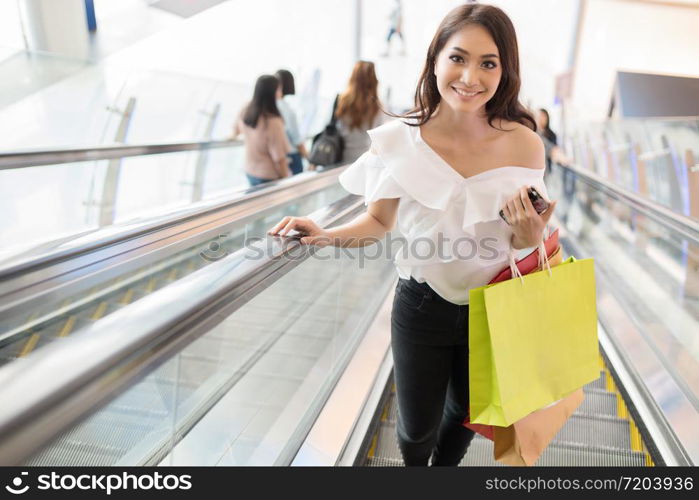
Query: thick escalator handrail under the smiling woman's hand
[58, 385]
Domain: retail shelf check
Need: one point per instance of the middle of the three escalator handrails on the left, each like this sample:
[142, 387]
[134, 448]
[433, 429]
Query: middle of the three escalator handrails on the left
[116, 234]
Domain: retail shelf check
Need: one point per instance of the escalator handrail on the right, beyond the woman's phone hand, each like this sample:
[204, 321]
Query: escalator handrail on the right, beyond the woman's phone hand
[684, 225]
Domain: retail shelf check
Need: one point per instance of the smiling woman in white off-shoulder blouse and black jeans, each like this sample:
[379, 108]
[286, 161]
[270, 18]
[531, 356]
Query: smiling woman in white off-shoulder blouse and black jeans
[467, 150]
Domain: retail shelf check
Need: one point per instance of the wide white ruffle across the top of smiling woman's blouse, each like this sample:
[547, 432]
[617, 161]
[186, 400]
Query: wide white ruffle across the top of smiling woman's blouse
[401, 165]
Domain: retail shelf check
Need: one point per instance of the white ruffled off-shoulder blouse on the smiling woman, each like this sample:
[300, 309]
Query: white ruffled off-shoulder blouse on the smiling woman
[454, 238]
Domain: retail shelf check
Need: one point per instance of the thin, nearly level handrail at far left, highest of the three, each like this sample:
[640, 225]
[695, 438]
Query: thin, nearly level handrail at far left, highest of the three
[40, 157]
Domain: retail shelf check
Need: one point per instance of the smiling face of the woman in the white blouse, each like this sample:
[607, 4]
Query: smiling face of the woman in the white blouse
[468, 69]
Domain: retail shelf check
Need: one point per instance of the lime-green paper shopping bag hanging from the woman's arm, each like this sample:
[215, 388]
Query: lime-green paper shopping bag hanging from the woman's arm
[532, 341]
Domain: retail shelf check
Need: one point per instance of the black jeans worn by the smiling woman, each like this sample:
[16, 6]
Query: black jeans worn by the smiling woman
[429, 340]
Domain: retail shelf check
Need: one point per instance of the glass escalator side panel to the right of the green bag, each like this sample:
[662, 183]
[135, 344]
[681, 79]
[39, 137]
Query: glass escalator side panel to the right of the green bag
[650, 272]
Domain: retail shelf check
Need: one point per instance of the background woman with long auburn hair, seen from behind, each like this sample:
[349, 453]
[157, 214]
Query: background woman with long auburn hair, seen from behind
[359, 110]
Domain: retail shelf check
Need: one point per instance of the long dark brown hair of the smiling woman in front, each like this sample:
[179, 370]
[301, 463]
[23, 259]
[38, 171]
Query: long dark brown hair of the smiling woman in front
[505, 103]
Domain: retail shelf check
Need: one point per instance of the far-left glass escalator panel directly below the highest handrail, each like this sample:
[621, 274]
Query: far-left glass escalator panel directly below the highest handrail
[78, 198]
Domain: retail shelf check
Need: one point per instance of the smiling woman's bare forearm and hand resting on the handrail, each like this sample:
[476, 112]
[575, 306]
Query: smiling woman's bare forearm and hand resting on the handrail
[363, 230]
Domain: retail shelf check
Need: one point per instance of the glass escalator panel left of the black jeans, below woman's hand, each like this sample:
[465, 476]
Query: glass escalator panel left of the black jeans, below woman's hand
[248, 390]
